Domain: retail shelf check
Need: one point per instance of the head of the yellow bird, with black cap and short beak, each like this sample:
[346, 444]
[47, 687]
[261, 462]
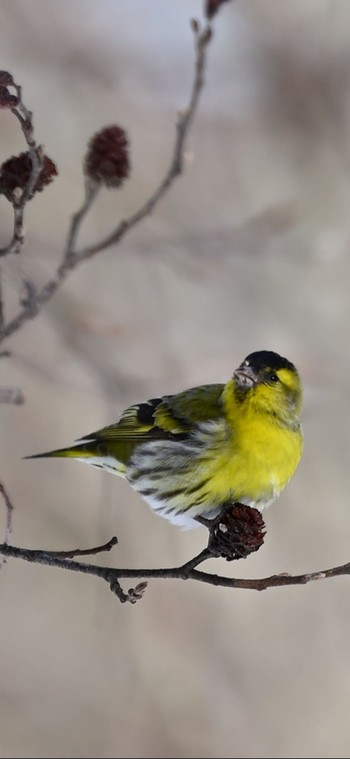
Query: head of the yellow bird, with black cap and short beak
[269, 383]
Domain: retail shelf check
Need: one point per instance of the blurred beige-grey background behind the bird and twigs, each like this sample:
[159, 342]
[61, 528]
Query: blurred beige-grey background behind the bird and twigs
[249, 250]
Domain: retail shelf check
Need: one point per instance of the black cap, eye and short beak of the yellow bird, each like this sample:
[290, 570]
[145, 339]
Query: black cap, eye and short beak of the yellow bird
[261, 367]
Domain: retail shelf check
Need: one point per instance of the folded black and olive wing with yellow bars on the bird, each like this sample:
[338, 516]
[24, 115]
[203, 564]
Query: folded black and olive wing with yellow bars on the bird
[161, 418]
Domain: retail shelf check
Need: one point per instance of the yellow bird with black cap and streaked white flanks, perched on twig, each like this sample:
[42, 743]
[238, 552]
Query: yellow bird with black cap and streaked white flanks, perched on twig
[190, 453]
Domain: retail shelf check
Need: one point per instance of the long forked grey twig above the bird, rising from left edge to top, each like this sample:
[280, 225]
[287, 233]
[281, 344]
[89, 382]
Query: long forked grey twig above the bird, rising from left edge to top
[72, 257]
